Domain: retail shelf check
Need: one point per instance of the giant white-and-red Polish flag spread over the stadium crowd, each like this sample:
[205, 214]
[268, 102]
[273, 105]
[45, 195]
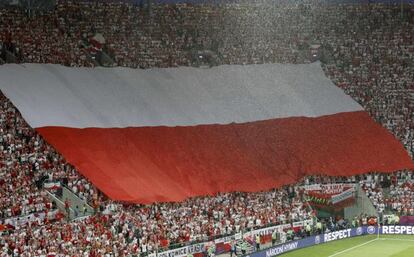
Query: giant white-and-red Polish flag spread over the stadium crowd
[167, 134]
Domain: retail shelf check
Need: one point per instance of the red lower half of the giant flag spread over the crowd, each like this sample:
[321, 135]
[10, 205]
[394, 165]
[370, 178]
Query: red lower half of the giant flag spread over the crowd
[153, 164]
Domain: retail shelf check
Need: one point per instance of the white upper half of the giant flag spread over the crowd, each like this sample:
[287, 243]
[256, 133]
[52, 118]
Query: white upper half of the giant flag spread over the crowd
[53, 95]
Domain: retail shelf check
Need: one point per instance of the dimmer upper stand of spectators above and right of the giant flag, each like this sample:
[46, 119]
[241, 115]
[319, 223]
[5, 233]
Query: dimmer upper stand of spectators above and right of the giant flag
[366, 49]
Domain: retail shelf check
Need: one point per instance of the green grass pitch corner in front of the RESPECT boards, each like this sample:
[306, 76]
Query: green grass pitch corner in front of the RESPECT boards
[364, 246]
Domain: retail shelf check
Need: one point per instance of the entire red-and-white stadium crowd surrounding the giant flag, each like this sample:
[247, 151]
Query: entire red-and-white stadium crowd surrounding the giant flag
[367, 50]
